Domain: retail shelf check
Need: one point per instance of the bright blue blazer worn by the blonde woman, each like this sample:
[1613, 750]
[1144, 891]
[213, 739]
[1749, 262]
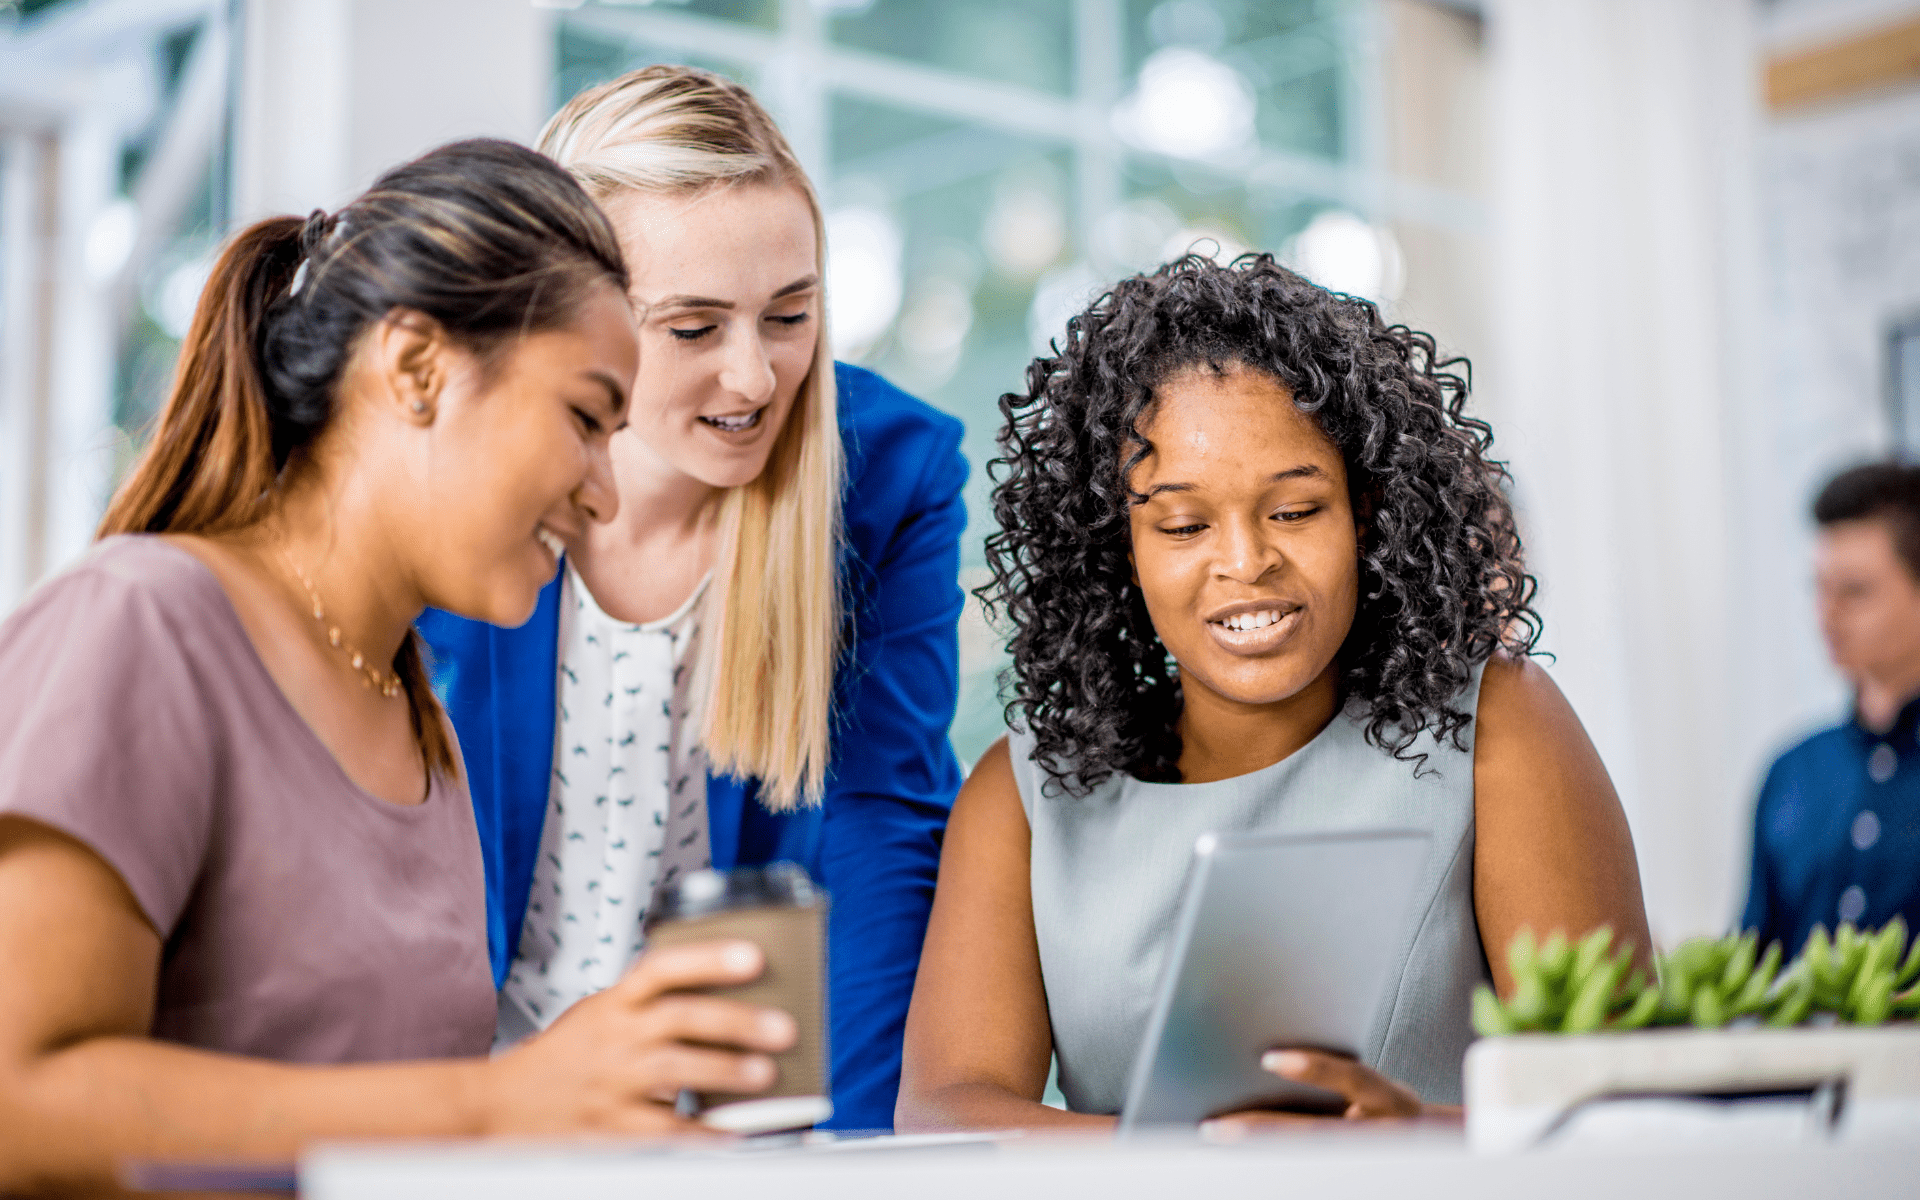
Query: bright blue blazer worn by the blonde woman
[876, 840]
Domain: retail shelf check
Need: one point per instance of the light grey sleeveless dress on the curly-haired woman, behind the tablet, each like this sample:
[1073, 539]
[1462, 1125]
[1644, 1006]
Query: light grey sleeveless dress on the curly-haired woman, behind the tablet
[1109, 871]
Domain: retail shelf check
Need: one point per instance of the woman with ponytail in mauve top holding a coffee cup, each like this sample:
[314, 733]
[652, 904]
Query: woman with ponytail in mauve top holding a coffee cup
[235, 828]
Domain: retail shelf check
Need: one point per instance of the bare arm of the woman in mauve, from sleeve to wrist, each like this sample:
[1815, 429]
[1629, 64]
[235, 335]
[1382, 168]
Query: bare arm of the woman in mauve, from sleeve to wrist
[84, 1088]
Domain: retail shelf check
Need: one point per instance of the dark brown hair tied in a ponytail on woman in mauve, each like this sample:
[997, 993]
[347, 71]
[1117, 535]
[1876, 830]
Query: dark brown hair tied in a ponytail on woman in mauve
[485, 237]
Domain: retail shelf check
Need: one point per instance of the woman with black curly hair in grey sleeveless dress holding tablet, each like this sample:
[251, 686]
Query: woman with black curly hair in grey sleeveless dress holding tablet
[1262, 575]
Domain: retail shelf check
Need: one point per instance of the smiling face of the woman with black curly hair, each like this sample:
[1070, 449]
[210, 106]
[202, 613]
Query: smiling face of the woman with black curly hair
[1245, 544]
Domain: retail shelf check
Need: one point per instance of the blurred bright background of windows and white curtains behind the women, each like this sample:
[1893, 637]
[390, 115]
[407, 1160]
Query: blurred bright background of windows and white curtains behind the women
[1679, 241]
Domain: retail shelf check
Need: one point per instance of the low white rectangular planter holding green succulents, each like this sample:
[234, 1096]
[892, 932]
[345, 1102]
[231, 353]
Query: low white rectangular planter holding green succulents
[1539, 1090]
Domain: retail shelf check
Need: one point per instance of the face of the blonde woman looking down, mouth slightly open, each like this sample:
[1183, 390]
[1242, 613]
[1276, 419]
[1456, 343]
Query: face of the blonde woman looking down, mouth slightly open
[727, 289]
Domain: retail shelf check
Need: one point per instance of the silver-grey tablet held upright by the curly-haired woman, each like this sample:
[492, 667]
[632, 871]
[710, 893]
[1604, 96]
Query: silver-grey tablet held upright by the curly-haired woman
[1284, 940]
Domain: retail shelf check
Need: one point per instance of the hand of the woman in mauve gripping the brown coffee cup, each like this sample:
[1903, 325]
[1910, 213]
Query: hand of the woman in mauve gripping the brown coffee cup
[617, 1061]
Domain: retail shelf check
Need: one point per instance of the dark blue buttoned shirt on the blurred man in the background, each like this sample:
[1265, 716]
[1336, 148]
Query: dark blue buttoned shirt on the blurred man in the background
[1836, 836]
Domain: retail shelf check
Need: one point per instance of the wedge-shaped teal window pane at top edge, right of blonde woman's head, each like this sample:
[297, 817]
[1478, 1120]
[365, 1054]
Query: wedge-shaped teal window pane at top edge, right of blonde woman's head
[1013, 41]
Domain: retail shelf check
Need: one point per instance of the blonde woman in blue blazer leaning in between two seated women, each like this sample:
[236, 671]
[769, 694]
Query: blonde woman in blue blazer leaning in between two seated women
[757, 658]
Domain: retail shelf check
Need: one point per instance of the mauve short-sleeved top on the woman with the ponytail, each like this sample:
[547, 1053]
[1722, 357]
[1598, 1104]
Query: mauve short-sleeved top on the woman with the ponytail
[304, 919]
